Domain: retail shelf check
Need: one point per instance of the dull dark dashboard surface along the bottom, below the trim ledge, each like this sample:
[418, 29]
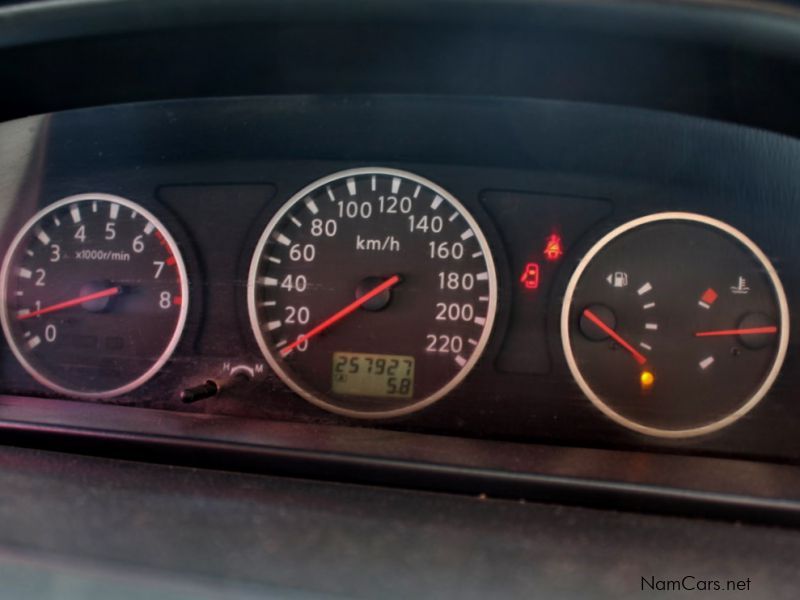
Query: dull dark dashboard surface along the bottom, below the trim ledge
[290, 538]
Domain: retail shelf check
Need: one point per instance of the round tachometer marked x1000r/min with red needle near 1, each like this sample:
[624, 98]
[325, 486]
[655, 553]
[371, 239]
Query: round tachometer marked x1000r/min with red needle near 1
[94, 296]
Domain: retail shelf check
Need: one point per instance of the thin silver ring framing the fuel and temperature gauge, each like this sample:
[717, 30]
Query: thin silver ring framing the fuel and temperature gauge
[783, 308]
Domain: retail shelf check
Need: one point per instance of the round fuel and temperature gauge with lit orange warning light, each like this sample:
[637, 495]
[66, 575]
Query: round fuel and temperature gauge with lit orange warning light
[675, 325]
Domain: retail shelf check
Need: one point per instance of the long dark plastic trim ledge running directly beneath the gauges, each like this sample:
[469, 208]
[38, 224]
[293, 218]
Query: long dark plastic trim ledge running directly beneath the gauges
[716, 488]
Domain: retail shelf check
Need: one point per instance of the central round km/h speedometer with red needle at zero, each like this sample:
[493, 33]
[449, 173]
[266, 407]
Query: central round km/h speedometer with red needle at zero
[372, 292]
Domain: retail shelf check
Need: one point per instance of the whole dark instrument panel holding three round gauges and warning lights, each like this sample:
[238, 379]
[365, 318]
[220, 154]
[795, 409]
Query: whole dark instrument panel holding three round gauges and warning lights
[608, 298]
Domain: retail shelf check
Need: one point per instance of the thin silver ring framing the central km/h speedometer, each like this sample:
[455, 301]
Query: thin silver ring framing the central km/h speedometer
[276, 363]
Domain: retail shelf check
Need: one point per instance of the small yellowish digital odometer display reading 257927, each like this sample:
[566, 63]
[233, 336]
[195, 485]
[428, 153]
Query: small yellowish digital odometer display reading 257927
[373, 375]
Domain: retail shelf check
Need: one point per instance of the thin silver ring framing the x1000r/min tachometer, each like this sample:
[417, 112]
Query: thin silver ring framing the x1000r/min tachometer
[184, 309]
